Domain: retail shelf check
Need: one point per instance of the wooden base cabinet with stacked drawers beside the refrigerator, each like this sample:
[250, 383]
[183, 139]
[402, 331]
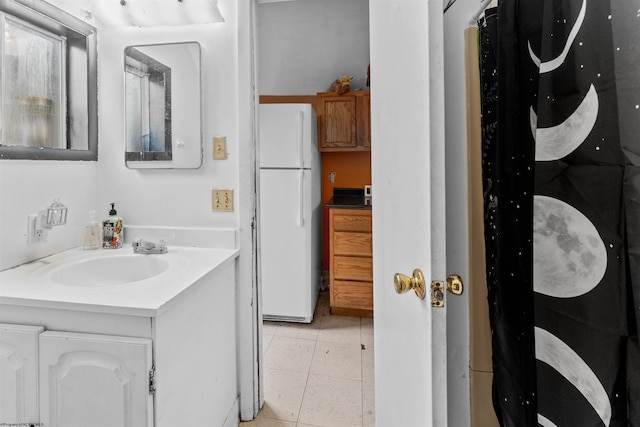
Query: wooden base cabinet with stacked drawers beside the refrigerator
[351, 262]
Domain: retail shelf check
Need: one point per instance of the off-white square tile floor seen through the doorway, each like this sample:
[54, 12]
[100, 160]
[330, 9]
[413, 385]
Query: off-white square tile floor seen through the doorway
[318, 374]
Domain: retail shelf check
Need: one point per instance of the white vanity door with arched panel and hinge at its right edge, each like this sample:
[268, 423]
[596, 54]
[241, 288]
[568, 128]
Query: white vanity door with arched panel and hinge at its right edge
[94, 380]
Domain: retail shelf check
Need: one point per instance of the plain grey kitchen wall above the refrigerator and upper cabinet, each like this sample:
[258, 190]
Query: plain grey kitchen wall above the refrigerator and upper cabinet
[304, 45]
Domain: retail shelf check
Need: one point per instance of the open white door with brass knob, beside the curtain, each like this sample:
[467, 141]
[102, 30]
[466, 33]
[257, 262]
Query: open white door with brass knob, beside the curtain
[407, 128]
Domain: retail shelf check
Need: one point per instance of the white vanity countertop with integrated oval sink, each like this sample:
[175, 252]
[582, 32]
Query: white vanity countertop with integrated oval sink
[111, 281]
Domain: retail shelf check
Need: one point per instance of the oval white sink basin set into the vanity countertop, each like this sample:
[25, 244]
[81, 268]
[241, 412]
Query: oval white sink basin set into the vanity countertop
[109, 271]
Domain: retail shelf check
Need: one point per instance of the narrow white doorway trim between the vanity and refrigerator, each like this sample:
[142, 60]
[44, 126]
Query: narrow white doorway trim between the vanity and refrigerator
[248, 298]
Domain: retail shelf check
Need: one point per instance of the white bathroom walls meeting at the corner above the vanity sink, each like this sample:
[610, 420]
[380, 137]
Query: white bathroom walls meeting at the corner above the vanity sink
[142, 197]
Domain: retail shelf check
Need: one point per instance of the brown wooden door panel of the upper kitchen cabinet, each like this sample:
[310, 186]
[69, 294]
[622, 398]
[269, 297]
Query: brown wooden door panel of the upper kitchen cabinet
[337, 121]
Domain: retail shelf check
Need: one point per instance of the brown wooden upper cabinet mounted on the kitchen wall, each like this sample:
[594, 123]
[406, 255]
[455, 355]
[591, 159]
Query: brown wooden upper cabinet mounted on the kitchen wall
[344, 121]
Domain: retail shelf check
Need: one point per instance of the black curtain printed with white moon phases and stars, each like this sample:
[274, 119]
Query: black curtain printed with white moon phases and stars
[561, 177]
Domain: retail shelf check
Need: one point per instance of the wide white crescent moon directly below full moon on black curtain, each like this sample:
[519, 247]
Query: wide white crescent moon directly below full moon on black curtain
[555, 353]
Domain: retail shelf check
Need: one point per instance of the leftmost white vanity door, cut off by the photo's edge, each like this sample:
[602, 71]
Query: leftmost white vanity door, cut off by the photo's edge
[19, 374]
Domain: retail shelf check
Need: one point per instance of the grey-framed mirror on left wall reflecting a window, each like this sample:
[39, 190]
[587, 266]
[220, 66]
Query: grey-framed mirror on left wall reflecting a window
[49, 105]
